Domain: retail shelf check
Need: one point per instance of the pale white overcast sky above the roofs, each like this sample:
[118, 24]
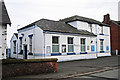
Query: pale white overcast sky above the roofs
[24, 12]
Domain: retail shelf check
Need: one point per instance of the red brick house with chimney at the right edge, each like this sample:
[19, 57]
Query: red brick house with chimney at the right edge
[115, 33]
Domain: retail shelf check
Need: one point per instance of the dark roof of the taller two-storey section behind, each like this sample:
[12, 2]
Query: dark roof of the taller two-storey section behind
[84, 19]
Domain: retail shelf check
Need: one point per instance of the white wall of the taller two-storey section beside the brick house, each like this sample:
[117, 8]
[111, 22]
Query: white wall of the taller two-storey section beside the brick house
[96, 29]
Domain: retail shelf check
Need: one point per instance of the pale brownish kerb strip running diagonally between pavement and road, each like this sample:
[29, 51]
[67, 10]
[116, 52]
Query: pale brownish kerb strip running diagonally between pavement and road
[87, 73]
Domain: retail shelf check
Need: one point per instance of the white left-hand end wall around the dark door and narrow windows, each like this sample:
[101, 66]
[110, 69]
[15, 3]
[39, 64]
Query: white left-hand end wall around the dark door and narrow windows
[37, 41]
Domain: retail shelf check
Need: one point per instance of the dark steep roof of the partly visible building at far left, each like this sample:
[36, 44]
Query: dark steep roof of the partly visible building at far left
[4, 17]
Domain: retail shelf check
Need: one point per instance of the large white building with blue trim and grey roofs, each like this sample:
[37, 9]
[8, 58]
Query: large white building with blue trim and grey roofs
[67, 39]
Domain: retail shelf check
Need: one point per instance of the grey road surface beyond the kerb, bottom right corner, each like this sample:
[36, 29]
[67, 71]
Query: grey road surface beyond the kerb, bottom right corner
[106, 75]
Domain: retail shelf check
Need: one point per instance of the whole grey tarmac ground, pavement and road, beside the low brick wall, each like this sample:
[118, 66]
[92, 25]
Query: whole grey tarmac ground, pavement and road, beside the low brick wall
[78, 70]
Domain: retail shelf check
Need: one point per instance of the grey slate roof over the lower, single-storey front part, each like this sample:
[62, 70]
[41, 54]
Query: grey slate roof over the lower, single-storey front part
[57, 26]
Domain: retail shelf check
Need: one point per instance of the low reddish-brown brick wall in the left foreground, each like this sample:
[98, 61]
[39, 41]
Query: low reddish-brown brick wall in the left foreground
[20, 67]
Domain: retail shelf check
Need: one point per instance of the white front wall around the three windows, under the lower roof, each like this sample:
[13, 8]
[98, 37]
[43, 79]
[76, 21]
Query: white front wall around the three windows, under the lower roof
[63, 40]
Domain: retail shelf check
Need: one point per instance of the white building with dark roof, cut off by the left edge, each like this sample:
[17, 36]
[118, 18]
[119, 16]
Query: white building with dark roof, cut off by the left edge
[4, 21]
